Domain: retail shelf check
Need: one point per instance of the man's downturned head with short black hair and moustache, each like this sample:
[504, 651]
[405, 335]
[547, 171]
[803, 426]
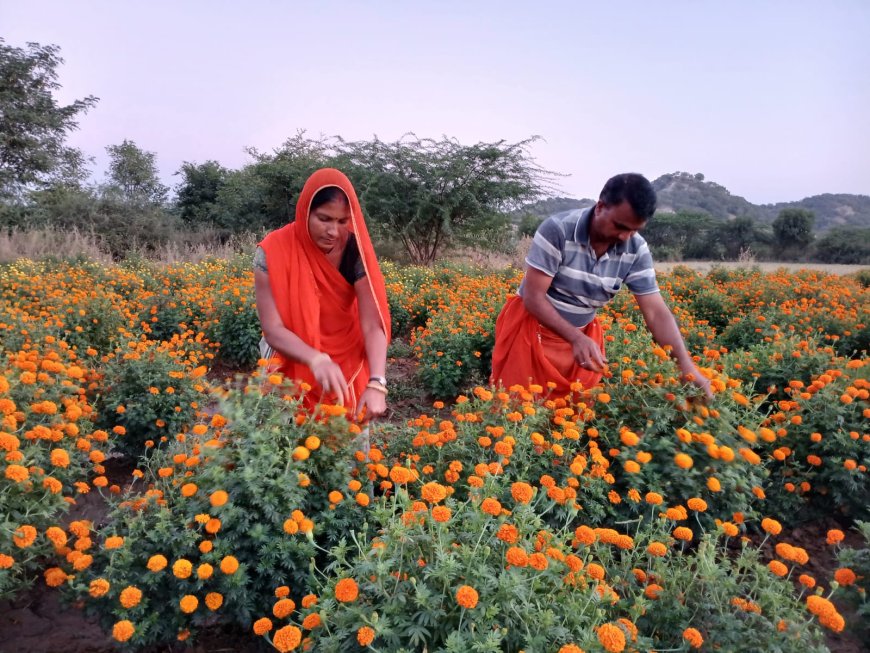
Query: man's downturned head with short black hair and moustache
[626, 202]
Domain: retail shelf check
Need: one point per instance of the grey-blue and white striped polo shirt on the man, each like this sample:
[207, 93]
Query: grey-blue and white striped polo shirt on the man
[582, 282]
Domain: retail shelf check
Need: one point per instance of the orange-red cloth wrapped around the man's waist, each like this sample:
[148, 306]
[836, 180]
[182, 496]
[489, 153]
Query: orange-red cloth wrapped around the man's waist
[528, 352]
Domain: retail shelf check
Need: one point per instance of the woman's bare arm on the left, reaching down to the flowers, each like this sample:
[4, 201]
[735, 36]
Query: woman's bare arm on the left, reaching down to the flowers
[327, 373]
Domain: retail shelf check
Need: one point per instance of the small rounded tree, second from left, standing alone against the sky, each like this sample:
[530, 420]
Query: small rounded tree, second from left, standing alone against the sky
[133, 175]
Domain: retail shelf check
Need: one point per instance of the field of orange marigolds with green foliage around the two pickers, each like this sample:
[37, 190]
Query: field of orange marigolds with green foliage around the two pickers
[625, 517]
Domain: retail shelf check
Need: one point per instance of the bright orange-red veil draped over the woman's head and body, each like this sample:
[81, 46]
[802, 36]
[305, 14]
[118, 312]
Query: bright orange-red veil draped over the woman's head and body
[314, 300]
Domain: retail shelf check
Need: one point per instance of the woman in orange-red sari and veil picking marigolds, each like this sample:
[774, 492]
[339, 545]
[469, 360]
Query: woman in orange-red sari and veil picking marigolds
[322, 301]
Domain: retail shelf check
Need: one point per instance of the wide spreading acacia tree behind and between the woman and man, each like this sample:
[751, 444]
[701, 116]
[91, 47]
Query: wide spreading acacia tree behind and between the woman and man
[429, 194]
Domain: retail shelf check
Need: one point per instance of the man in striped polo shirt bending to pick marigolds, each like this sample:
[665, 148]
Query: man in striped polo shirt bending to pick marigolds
[549, 332]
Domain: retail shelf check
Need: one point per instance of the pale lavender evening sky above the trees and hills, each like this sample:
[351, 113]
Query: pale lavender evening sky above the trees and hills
[770, 99]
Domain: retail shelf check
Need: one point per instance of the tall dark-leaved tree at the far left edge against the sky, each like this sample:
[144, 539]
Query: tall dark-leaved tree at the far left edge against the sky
[33, 126]
